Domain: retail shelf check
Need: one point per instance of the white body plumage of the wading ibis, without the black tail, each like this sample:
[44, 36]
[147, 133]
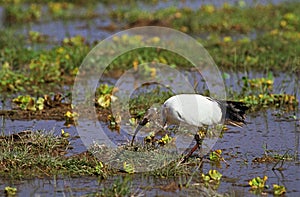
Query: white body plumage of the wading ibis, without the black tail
[191, 109]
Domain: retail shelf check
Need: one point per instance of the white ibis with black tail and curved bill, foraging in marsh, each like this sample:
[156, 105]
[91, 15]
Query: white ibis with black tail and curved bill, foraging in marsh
[196, 110]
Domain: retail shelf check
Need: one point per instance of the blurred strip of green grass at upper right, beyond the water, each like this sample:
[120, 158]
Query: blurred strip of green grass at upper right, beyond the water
[211, 19]
